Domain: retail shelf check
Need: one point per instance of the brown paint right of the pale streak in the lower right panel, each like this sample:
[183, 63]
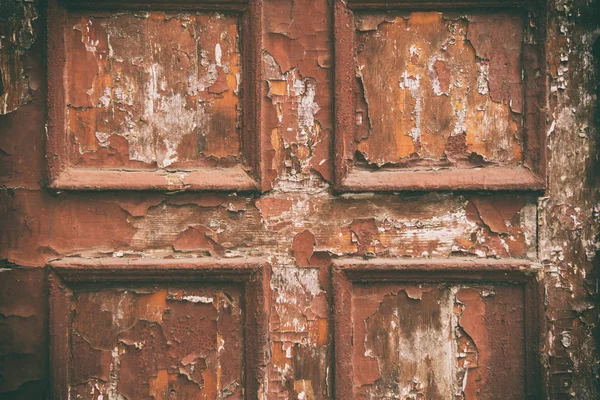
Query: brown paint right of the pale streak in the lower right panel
[492, 319]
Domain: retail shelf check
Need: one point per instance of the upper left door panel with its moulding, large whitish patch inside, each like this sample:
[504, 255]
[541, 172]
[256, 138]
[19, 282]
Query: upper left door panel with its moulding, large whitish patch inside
[150, 97]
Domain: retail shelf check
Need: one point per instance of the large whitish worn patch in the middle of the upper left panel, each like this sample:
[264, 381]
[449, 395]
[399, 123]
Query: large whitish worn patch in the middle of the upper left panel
[164, 114]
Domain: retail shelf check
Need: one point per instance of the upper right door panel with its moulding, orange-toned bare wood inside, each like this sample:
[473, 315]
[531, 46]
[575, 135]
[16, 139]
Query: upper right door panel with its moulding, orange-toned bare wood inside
[441, 95]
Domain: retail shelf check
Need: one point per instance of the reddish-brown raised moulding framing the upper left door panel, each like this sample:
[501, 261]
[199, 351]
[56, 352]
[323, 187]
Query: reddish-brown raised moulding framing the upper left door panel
[244, 177]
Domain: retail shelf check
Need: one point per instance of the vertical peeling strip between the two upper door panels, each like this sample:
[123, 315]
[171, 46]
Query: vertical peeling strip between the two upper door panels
[297, 68]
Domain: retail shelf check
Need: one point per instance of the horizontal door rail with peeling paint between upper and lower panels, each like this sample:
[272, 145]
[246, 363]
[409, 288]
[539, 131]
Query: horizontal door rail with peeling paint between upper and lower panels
[432, 225]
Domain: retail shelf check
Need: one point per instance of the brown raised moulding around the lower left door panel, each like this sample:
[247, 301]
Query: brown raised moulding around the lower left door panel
[253, 274]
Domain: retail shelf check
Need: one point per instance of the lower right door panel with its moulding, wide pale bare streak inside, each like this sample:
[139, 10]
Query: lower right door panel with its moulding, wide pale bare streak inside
[437, 331]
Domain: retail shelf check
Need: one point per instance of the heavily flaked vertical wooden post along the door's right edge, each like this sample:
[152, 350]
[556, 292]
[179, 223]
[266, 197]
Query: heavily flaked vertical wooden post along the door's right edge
[569, 217]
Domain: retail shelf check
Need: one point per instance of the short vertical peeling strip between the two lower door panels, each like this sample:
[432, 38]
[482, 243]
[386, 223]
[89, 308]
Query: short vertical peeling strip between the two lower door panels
[301, 344]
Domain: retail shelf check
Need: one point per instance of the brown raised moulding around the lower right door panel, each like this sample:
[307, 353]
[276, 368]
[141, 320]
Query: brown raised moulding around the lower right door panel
[346, 272]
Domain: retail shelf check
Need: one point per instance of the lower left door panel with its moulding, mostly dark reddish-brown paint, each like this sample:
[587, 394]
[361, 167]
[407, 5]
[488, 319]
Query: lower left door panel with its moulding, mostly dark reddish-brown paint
[134, 331]
